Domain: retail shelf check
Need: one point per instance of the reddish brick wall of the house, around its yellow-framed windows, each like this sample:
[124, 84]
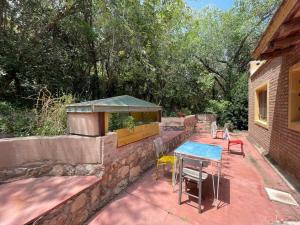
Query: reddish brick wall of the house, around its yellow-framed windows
[282, 143]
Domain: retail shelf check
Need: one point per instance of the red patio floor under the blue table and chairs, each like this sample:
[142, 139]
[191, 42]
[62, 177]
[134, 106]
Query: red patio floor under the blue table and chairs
[243, 199]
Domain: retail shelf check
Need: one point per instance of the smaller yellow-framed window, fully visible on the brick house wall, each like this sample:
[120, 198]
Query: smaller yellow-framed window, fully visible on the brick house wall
[262, 105]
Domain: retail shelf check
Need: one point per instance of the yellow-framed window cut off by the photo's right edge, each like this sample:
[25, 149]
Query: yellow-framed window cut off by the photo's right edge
[294, 97]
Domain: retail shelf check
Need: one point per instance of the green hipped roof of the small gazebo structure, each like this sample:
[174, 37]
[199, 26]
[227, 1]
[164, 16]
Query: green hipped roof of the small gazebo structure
[123, 103]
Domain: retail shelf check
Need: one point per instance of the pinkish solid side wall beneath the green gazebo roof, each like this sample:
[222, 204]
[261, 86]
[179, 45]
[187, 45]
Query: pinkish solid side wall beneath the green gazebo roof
[84, 124]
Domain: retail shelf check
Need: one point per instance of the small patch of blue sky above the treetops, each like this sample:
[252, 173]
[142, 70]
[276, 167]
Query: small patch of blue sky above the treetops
[199, 4]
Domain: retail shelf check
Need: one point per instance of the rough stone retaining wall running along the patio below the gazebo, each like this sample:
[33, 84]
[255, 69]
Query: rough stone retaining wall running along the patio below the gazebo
[121, 166]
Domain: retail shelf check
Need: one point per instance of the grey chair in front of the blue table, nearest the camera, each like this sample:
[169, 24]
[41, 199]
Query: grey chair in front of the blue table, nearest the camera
[192, 174]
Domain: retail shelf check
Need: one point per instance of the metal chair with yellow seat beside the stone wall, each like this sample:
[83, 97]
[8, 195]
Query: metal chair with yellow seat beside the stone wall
[162, 159]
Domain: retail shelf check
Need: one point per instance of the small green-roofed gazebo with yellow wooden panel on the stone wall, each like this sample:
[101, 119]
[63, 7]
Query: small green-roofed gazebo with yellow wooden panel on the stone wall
[91, 118]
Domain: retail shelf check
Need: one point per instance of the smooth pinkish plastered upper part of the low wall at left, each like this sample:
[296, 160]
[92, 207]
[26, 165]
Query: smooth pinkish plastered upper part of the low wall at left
[62, 149]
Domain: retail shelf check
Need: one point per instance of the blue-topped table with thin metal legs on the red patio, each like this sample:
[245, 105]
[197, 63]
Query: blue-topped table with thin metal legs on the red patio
[196, 150]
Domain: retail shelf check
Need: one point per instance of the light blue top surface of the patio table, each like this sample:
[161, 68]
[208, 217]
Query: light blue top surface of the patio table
[200, 150]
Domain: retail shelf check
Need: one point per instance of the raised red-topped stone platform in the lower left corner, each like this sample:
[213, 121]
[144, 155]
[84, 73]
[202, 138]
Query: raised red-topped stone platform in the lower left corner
[48, 200]
